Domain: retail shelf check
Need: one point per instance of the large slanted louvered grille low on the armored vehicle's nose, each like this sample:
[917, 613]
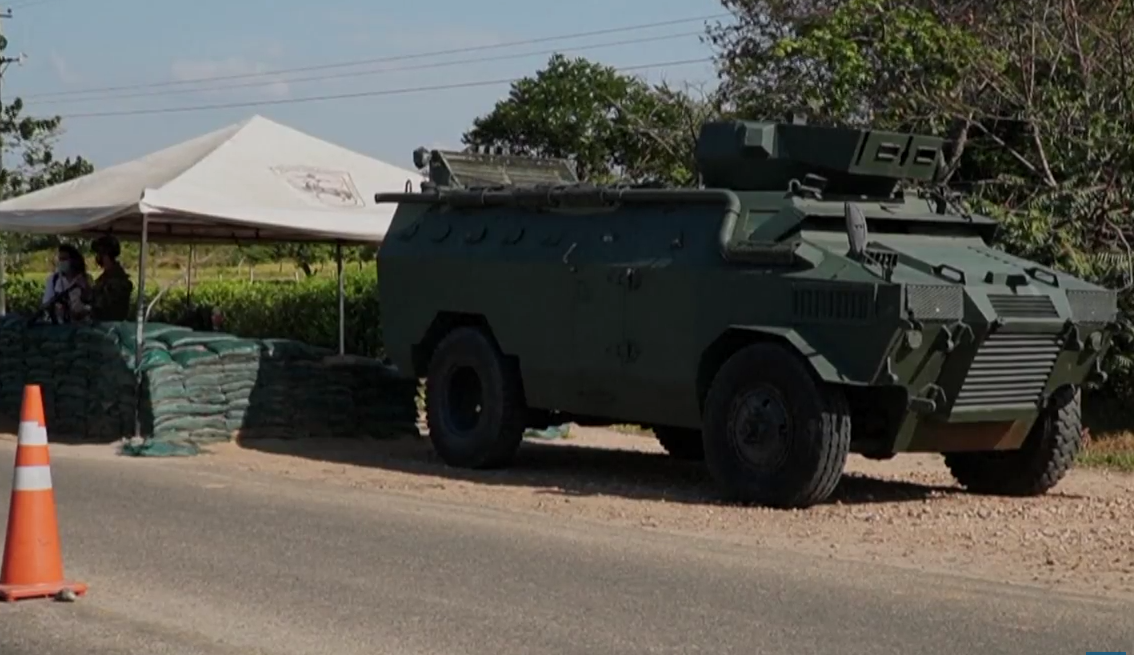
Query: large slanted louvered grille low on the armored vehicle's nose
[1010, 371]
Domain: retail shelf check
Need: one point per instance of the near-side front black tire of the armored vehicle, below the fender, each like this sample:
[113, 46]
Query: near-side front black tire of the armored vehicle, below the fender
[813, 440]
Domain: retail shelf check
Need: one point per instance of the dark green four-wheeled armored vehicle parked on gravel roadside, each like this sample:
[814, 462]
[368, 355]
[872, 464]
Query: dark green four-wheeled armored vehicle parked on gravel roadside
[803, 305]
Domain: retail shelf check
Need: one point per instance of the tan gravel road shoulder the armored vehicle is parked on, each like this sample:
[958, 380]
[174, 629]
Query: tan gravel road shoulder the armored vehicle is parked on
[907, 512]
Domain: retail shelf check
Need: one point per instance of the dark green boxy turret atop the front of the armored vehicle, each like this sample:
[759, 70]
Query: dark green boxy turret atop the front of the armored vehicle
[769, 157]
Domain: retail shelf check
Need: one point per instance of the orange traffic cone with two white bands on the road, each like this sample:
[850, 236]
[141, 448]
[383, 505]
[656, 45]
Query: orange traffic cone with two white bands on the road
[33, 564]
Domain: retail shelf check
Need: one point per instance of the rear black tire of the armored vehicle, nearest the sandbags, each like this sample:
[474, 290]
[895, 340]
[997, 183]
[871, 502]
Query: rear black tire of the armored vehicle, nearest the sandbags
[475, 402]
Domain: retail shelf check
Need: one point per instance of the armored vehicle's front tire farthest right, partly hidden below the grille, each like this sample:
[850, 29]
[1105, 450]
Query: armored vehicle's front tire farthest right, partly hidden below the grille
[1048, 454]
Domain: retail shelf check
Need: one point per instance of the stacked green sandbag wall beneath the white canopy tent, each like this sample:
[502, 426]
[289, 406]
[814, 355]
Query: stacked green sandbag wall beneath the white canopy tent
[198, 387]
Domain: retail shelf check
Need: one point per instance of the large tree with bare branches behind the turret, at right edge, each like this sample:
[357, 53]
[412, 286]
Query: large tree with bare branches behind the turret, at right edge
[1036, 98]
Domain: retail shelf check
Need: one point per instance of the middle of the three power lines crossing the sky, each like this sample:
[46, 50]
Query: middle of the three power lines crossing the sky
[356, 74]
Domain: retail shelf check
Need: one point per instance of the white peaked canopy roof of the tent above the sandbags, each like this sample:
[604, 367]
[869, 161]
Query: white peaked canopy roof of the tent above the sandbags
[256, 181]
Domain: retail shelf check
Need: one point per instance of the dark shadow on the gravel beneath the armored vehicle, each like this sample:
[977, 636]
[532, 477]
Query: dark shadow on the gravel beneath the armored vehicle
[564, 469]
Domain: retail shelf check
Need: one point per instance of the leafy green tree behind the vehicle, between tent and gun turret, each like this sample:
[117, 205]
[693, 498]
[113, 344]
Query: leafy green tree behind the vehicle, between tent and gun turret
[613, 126]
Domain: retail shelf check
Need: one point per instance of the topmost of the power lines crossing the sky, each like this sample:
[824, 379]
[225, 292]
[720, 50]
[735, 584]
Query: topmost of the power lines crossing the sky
[377, 59]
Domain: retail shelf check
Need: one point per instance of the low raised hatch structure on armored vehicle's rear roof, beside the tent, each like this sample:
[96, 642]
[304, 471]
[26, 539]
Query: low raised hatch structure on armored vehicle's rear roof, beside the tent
[472, 169]
